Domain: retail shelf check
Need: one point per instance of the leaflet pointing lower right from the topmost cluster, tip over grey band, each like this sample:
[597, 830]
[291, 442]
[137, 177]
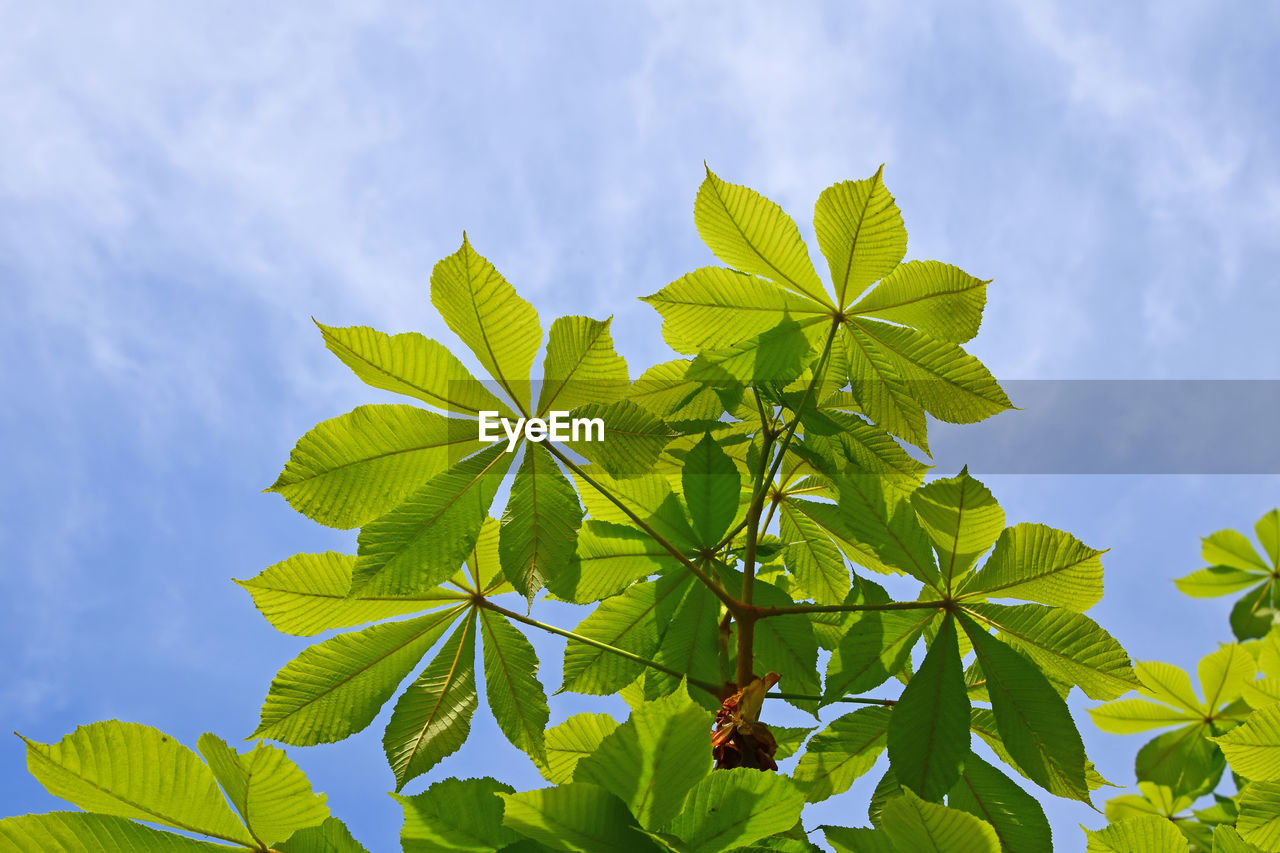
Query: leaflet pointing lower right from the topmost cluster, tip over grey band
[943, 378]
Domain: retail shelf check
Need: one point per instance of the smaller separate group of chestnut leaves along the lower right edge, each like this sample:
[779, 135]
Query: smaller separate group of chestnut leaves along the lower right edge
[1231, 723]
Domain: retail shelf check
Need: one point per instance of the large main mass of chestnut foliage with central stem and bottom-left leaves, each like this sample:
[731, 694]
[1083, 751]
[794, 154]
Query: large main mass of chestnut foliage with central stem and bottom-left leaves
[756, 528]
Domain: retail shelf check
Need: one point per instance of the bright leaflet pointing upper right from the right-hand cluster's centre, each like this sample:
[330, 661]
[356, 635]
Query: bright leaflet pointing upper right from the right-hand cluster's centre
[1037, 563]
